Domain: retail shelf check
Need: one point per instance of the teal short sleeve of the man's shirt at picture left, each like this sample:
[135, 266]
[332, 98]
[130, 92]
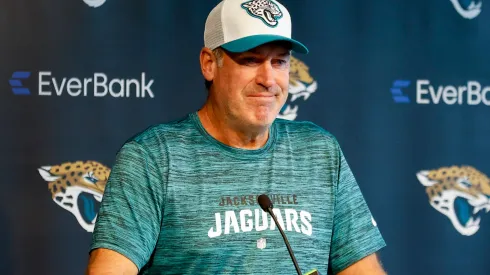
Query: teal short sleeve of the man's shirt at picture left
[130, 215]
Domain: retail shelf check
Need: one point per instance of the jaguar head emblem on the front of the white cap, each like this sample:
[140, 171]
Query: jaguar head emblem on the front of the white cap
[265, 10]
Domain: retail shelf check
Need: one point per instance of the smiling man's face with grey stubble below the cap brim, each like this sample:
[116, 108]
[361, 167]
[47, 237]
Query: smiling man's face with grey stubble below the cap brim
[251, 87]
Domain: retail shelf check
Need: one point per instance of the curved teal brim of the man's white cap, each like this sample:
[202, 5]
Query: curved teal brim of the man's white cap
[247, 43]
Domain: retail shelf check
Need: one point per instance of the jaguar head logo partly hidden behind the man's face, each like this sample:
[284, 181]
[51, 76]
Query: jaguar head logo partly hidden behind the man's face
[301, 85]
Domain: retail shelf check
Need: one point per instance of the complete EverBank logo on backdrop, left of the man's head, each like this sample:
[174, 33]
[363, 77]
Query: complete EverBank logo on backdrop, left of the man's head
[97, 85]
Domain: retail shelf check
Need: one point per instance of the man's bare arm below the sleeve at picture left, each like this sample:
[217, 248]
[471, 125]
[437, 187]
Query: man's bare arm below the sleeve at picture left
[107, 262]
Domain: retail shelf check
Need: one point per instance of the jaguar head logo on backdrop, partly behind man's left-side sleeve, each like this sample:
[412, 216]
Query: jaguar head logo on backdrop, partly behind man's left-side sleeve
[77, 187]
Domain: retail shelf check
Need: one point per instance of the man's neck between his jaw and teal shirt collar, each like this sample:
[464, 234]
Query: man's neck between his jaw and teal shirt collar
[224, 131]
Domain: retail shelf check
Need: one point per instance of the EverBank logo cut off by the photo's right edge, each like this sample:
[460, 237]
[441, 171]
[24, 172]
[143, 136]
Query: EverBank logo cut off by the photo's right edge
[470, 93]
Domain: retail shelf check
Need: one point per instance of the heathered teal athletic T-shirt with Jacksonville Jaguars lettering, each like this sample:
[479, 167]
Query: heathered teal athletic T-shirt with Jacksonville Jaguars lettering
[180, 202]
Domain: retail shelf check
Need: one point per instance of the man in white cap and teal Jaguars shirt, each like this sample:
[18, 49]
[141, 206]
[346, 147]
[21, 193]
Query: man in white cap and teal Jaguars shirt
[182, 196]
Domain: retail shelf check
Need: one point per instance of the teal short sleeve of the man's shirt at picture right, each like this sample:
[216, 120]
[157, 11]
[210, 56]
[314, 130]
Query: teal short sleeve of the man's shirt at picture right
[355, 234]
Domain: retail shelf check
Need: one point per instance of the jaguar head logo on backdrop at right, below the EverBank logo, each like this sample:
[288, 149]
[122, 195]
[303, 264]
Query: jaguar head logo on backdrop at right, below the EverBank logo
[460, 193]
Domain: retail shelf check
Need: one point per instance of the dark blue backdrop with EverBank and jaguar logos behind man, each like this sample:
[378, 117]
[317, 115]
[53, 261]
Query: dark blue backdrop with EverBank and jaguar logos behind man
[404, 86]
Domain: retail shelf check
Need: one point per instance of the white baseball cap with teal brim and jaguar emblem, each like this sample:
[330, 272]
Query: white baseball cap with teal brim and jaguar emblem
[241, 25]
